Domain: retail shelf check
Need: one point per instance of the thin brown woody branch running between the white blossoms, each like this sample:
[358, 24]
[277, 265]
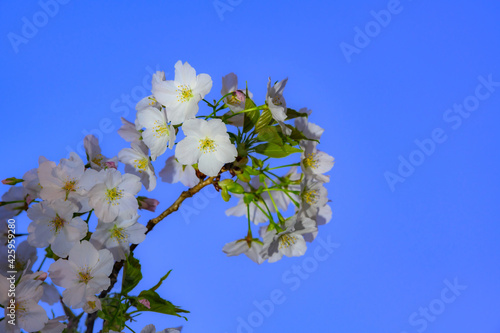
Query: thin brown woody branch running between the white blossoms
[89, 322]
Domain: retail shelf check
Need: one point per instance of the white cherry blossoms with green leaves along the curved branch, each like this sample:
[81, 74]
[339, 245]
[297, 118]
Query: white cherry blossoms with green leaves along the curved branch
[86, 214]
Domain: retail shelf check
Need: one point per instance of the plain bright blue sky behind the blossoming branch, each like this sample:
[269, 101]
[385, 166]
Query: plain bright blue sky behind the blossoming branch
[396, 247]
